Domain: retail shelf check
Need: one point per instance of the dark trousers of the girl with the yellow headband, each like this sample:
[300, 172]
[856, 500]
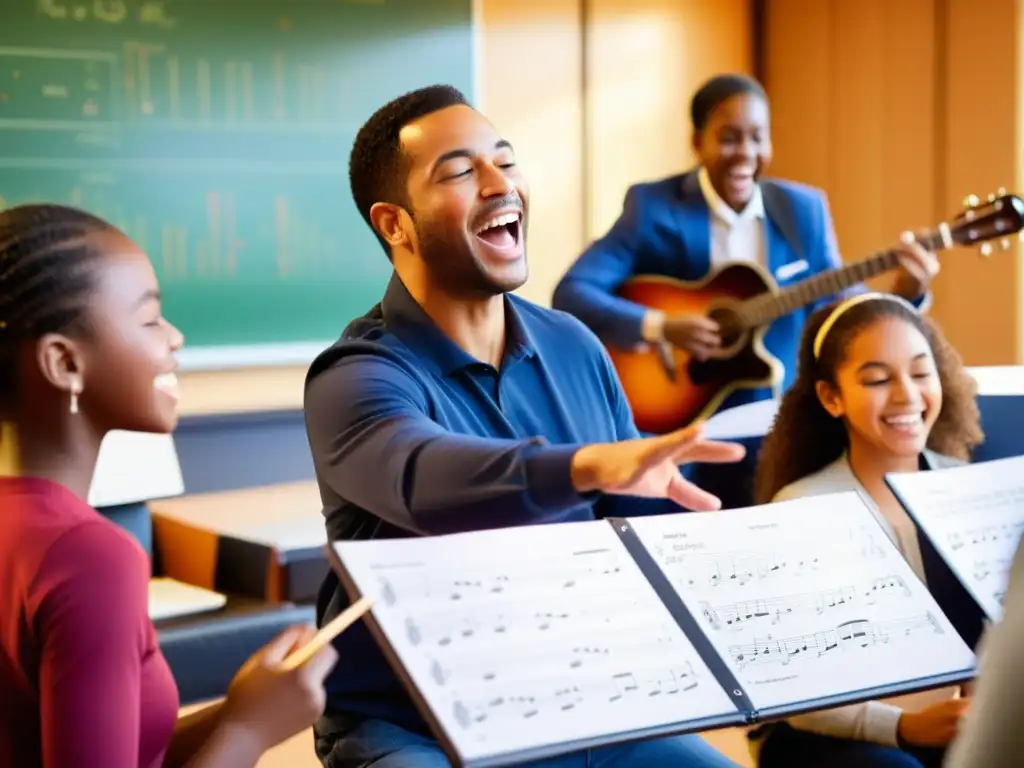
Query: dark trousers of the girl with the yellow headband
[787, 747]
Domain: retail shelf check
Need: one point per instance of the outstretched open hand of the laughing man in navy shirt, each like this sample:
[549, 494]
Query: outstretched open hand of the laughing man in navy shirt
[650, 467]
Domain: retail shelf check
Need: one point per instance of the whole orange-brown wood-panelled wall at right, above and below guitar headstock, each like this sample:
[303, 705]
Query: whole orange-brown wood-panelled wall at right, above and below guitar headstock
[900, 110]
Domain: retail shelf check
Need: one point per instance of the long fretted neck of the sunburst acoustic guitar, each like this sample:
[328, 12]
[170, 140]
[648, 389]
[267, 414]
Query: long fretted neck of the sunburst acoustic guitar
[766, 309]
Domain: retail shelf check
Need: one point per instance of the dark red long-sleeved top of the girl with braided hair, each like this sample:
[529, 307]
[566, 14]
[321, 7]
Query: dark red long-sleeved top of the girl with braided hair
[82, 680]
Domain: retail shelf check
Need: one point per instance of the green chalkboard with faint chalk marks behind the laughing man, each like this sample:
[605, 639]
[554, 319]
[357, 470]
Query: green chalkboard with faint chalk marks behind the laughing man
[217, 134]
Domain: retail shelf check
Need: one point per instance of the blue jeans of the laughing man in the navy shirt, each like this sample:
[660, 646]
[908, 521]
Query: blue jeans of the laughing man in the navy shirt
[376, 744]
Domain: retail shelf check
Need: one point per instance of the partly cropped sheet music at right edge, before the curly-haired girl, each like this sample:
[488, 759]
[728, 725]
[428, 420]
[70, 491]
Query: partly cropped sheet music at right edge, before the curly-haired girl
[974, 518]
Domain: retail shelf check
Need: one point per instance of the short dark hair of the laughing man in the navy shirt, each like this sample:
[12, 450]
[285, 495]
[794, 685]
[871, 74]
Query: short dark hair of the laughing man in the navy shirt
[377, 172]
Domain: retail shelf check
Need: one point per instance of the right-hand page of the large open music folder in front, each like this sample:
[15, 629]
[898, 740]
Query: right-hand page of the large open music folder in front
[822, 604]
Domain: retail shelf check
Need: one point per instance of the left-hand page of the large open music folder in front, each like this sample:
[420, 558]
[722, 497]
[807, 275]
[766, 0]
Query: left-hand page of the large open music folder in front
[560, 632]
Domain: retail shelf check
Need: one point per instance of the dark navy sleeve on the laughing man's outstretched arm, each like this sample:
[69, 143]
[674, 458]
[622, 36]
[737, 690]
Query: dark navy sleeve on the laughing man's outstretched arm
[375, 445]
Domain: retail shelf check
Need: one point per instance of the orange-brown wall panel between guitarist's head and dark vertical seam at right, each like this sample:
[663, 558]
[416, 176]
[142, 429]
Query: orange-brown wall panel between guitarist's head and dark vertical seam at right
[851, 111]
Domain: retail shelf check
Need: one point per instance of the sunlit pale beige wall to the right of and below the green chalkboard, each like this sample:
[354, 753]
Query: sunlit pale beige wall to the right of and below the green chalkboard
[644, 60]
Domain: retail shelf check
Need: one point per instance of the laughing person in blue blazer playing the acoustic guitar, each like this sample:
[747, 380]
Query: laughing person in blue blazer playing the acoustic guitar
[722, 212]
